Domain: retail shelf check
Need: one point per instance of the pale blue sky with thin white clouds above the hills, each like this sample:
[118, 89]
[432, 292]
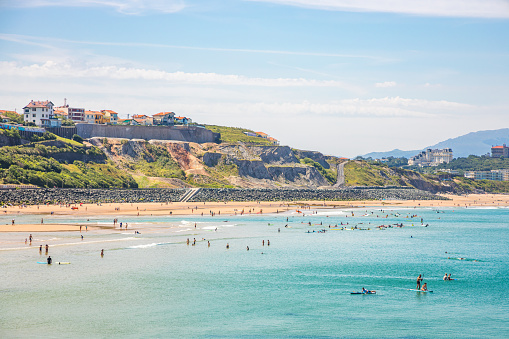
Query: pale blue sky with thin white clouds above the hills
[343, 77]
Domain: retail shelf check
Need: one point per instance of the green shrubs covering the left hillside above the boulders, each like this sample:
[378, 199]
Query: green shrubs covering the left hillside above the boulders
[32, 165]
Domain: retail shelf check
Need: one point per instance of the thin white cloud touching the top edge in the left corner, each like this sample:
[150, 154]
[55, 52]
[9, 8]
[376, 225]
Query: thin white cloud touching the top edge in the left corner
[122, 6]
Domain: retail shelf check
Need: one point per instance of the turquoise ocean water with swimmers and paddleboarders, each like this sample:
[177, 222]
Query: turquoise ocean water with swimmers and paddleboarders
[154, 285]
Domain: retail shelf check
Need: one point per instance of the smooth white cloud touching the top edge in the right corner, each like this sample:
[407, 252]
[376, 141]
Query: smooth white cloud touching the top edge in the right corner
[446, 8]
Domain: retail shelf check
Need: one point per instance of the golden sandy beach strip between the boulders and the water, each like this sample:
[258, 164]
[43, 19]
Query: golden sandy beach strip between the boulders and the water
[220, 208]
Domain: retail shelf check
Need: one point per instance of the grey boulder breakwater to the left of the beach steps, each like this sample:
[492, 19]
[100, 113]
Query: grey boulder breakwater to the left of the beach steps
[83, 195]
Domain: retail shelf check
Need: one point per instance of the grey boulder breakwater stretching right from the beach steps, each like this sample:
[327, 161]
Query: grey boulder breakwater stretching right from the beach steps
[232, 194]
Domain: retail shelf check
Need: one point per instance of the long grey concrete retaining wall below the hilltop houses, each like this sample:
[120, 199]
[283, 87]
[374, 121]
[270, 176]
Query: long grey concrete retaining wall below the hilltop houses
[180, 133]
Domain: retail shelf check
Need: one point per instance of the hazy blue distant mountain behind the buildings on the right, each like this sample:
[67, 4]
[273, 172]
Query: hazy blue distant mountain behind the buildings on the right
[474, 143]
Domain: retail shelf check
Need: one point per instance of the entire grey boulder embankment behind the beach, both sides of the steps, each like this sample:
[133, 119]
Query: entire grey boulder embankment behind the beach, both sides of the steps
[71, 196]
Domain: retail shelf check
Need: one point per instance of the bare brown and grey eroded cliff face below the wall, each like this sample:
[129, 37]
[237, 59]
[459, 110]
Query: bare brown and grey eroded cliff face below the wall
[235, 165]
